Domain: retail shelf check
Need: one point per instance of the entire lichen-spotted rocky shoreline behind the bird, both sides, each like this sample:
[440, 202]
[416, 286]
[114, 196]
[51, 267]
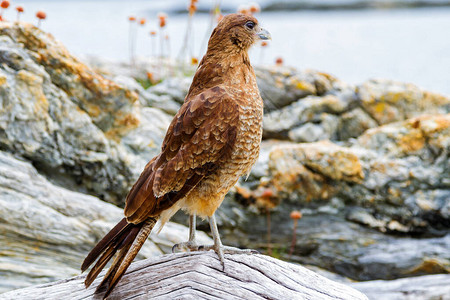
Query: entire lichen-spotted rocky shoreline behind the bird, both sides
[367, 165]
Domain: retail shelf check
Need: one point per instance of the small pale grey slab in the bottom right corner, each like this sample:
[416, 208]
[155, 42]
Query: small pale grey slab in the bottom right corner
[421, 287]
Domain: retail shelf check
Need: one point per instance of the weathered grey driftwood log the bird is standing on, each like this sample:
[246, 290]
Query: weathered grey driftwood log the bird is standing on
[199, 275]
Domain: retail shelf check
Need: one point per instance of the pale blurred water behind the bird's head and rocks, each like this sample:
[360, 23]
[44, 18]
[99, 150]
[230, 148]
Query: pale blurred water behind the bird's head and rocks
[406, 45]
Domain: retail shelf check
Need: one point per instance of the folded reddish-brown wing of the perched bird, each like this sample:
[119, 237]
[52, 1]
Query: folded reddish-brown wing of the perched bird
[200, 137]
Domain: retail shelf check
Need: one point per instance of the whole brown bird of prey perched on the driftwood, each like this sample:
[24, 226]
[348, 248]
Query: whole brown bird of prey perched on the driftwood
[212, 141]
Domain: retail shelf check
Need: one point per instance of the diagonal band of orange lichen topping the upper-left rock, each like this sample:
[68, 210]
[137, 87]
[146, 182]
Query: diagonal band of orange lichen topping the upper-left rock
[101, 98]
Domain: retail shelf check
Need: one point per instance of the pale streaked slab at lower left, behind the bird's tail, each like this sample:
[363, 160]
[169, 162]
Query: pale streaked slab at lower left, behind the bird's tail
[48, 230]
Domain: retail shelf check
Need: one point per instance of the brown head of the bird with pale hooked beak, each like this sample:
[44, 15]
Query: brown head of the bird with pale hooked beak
[236, 33]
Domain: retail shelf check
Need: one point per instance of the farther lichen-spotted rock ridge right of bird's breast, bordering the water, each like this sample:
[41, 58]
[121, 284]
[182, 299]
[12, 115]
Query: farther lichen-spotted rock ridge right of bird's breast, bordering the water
[341, 113]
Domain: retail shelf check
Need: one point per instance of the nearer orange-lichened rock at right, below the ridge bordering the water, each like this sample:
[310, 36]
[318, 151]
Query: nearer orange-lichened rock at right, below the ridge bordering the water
[397, 172]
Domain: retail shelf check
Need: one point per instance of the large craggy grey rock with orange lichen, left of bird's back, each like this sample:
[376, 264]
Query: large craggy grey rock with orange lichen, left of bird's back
[77, 127]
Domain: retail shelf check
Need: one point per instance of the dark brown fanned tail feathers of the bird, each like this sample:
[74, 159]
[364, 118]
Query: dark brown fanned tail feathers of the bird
[125, 239]
